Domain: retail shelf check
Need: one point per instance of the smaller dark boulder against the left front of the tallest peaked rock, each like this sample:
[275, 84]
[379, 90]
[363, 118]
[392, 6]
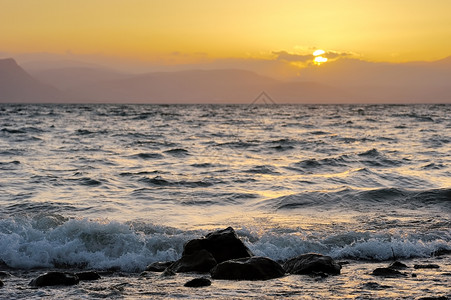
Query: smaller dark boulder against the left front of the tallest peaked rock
[200, 261]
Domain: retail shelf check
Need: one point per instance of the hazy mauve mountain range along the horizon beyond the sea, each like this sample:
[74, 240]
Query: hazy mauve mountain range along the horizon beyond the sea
[341, 81]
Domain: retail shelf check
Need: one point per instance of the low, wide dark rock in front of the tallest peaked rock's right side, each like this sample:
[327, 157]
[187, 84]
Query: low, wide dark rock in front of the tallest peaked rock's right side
[249, 268]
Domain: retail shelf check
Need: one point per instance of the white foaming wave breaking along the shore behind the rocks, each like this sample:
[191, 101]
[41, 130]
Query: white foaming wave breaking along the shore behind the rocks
[50, 240]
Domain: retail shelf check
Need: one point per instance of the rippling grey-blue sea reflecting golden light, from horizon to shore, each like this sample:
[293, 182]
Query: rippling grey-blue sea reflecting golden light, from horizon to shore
[114, 188]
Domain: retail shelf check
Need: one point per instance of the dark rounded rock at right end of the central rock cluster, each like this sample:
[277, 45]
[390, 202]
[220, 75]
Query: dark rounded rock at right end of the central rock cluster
[312, 263]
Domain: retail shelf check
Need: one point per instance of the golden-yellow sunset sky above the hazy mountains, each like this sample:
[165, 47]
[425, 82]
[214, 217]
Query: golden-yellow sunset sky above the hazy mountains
[176, 32]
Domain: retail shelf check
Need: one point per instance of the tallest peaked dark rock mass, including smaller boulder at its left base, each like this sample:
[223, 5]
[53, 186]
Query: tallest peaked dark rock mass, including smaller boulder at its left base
[200, 255]
